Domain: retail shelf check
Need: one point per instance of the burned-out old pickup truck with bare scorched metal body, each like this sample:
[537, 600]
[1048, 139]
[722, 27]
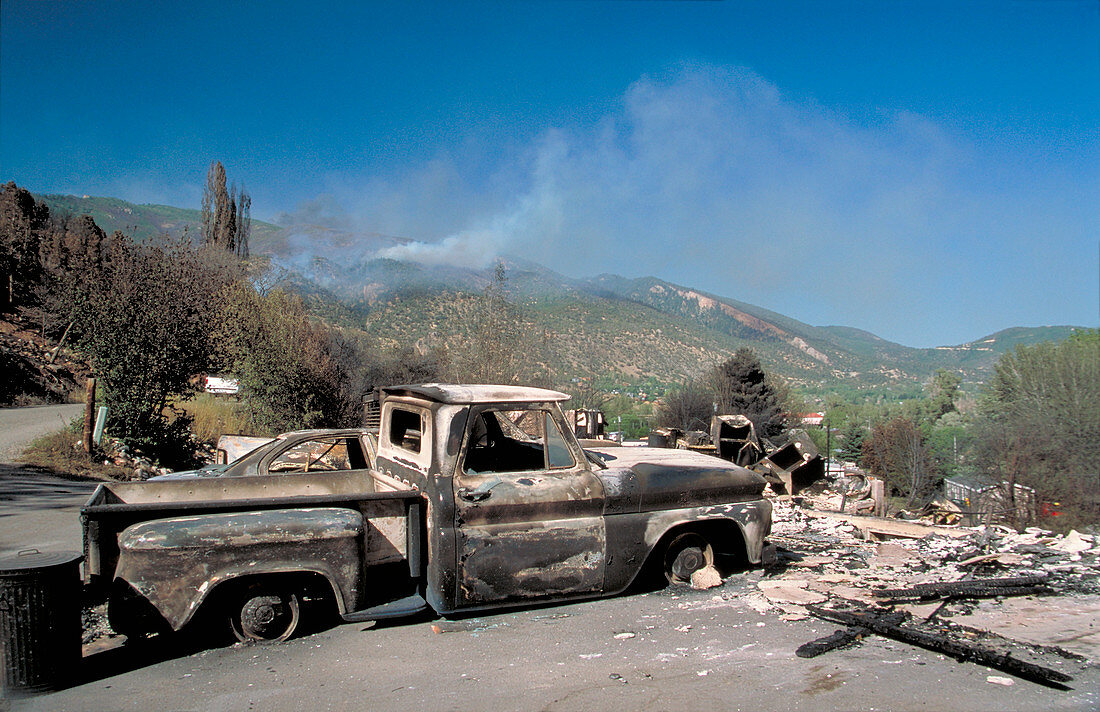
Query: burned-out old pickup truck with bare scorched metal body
[466, 498]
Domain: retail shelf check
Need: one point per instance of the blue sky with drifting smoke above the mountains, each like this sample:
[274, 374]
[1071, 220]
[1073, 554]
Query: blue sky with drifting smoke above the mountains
[929, 172]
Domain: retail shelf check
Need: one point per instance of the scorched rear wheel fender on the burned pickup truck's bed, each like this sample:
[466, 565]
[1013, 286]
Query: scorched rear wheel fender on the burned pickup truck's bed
[177, 564]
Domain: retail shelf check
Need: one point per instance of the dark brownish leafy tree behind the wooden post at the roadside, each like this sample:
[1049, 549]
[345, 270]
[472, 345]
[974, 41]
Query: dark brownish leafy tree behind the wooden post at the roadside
[144, 315]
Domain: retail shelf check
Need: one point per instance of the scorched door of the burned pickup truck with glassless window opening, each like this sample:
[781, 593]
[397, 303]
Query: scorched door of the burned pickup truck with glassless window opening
[529, 511]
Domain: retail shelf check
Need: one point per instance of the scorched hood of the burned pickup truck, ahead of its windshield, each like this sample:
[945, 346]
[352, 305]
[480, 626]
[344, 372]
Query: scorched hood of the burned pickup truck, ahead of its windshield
[648, 479]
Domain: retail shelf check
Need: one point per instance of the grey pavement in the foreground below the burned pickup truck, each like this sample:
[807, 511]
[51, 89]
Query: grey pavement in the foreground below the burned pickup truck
[662, 651]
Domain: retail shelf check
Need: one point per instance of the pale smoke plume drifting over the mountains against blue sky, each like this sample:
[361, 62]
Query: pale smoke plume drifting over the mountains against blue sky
[714, 179]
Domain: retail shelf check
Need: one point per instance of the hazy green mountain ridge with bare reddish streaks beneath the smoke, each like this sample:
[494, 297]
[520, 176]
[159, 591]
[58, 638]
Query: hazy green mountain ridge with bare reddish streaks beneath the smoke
[635, 327]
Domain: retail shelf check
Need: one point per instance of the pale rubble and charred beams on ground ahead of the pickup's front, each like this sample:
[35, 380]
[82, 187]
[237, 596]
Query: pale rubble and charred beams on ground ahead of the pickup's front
[911, 583]
